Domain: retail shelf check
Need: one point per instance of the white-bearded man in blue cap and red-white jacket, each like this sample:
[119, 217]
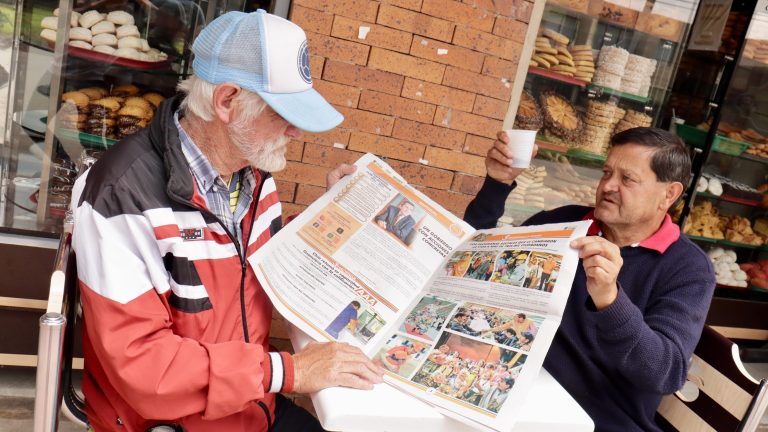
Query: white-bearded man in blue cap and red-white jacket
[176, 326]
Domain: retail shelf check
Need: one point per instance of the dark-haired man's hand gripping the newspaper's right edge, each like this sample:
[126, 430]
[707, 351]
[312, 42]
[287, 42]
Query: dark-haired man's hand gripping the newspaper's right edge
[602, 262]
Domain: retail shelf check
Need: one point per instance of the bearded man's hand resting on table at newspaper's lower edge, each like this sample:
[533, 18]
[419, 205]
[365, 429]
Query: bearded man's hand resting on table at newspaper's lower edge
[332, 364]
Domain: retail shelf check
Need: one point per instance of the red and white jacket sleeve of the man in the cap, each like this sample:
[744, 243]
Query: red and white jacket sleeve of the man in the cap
[158, 373]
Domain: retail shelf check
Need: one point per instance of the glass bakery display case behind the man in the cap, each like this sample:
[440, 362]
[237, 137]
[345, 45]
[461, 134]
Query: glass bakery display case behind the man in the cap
[86, 74]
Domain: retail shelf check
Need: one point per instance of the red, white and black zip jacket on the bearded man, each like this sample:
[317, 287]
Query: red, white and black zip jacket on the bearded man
[176, 325]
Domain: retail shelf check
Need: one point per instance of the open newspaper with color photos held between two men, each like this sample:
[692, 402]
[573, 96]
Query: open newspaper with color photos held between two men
[459, 318]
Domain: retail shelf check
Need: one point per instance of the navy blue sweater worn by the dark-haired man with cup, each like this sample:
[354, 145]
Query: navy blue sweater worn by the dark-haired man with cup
[618, 362]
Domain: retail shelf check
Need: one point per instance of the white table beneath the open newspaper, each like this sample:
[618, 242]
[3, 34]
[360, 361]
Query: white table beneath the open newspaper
[548, 408]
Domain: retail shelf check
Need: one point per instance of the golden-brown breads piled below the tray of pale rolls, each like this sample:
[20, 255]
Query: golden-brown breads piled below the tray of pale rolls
[111, 114]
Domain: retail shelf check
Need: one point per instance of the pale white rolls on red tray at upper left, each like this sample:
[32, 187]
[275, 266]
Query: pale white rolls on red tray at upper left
[114, 33]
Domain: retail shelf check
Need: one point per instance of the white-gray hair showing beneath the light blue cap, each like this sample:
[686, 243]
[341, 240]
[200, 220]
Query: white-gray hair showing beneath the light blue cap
[199, 100]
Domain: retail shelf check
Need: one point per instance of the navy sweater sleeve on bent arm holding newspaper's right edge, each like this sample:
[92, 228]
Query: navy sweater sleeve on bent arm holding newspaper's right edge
[652, 348]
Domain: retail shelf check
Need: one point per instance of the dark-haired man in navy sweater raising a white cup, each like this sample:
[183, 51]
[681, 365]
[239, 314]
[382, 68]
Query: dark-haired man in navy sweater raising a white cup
[642, 290]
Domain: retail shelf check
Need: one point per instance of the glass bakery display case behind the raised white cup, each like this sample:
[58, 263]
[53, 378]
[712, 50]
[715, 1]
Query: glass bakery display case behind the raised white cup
[598, 68]
